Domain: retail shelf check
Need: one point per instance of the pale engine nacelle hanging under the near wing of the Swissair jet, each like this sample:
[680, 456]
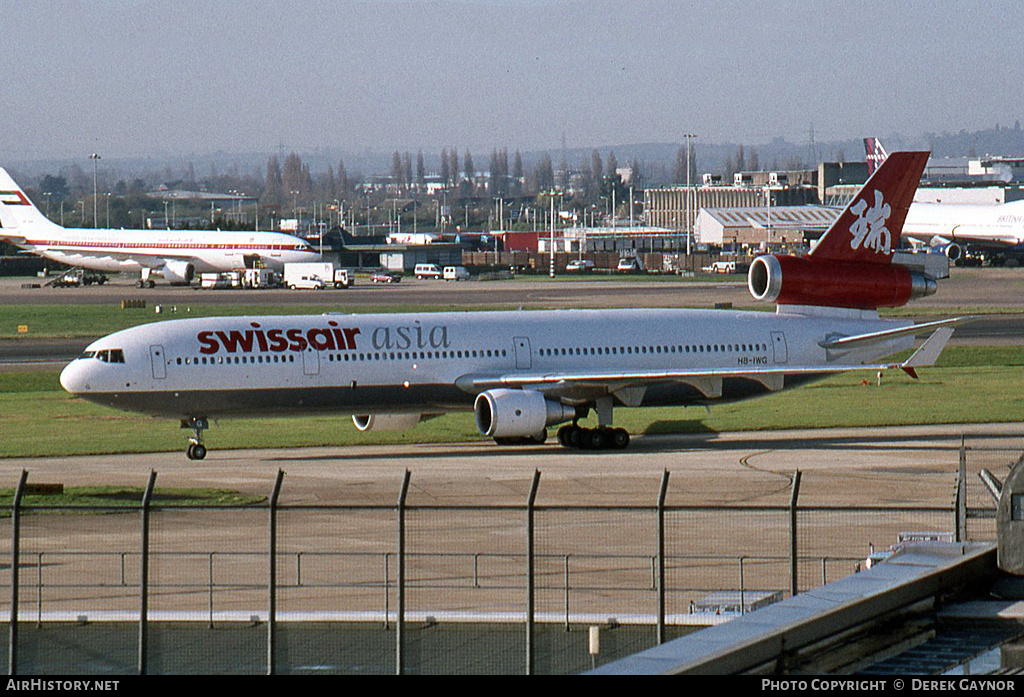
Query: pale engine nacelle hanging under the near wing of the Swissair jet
[518, 414]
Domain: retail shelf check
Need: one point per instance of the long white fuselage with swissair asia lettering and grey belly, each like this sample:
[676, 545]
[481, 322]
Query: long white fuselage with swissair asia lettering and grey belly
[394, 364]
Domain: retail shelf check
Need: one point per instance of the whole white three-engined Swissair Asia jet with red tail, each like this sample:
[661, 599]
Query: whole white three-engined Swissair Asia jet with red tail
[524, 372]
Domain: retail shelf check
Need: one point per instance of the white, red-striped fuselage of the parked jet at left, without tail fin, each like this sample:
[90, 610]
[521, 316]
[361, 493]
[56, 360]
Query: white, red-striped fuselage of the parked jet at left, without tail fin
[113, 251]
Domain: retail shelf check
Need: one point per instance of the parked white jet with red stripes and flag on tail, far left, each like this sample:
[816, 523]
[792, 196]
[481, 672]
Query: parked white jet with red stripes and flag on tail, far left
[176, 255]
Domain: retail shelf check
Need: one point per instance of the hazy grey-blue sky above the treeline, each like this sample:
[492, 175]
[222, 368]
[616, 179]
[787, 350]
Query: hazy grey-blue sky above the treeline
[176, 77]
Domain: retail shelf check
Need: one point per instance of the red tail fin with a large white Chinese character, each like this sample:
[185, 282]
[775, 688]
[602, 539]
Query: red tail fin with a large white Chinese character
[869, 231]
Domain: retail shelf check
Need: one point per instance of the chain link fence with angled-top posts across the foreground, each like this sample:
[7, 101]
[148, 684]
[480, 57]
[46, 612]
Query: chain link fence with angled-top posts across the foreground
[417, 589]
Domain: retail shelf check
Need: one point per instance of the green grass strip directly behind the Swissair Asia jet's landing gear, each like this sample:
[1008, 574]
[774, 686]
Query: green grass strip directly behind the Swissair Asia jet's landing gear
[969, 385]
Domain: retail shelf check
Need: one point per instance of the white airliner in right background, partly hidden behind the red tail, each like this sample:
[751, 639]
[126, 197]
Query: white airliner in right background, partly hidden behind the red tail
[948, 229]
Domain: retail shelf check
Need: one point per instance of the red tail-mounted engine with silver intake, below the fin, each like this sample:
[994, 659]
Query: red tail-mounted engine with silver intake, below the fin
[803, 281]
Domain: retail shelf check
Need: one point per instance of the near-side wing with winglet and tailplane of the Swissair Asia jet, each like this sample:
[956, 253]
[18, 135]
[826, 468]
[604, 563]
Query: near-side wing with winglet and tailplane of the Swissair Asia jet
[629, 385]
